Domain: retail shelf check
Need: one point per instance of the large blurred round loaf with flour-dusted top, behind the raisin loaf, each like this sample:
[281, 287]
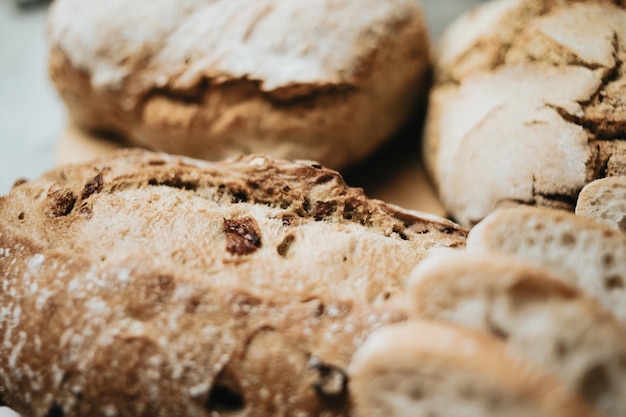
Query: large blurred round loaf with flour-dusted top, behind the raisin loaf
[323, 80]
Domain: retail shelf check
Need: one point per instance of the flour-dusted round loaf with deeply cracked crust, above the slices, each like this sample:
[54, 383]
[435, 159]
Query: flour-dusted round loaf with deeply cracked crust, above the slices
[527, 105]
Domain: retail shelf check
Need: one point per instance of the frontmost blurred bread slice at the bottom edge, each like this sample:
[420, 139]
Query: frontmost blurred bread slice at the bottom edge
[420, 368]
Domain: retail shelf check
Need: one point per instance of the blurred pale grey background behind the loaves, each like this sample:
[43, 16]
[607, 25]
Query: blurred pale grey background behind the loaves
[32, 117]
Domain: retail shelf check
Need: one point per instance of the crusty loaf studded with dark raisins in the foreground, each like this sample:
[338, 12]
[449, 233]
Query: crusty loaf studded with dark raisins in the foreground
[143, 284]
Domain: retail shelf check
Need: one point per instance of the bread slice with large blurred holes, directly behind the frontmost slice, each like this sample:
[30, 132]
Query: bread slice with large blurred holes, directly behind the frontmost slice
[551, 324]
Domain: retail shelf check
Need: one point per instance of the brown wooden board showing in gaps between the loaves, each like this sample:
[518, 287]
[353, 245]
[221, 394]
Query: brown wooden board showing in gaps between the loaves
[394, 174]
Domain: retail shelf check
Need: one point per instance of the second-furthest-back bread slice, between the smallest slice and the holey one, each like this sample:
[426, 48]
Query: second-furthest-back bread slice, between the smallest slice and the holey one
[585, 253]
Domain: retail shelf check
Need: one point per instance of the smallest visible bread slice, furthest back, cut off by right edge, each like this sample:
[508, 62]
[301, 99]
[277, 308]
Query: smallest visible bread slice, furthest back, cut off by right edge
[604, 200]
